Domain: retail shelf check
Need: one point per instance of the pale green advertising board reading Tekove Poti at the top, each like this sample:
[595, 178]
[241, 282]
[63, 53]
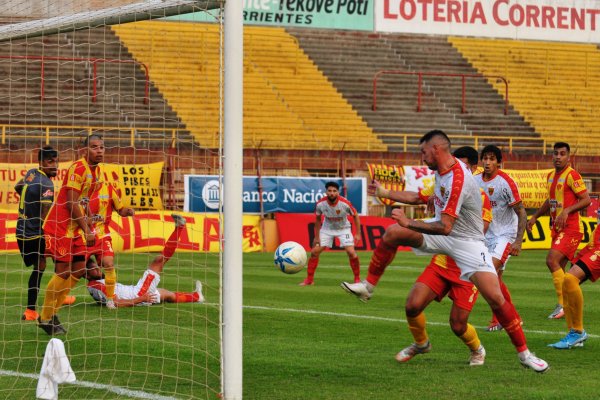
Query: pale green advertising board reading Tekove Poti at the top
[335, 14]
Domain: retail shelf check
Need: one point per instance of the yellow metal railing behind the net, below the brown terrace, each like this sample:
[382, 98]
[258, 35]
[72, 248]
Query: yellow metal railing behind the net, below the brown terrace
[48, 132]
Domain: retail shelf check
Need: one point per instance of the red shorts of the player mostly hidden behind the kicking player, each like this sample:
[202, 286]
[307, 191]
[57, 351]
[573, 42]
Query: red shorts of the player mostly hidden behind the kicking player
[446, 281]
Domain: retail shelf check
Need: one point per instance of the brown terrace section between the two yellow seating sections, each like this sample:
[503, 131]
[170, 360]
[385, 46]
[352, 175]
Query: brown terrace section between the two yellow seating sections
[351, 59]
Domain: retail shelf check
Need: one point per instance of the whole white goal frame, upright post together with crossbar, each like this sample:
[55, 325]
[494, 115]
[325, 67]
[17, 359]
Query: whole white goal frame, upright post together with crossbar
[232, 146]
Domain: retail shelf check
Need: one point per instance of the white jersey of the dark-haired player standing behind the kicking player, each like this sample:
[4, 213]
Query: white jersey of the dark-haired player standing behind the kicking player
[503, 193]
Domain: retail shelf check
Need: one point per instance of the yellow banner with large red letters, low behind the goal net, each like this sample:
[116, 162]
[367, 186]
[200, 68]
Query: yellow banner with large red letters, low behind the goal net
[148, 231]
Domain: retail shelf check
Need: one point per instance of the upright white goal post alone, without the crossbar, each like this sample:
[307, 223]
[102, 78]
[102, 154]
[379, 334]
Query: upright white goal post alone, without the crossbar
[232, 205]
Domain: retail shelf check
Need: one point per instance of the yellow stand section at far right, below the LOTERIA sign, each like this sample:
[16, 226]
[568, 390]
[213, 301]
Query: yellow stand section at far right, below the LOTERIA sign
[553, 85]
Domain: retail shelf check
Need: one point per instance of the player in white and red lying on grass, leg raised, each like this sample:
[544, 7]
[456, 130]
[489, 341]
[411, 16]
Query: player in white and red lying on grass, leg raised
[146, 290]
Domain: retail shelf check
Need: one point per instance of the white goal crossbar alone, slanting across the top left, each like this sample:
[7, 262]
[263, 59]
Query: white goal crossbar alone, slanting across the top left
[149, 9]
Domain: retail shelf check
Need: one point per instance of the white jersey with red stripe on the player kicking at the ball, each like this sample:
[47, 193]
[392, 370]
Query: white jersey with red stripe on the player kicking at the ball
[457, 194]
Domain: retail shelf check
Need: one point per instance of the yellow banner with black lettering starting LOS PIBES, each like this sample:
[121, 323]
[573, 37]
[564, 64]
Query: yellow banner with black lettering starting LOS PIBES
[139, 184]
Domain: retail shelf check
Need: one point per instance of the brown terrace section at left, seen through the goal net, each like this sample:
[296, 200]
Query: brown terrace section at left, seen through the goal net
[68, 109]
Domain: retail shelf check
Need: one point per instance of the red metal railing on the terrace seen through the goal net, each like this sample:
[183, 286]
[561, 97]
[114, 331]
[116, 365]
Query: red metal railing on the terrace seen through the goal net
[92, 60]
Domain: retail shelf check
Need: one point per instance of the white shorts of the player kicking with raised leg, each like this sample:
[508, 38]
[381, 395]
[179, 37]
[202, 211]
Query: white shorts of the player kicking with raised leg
[470, 256]
